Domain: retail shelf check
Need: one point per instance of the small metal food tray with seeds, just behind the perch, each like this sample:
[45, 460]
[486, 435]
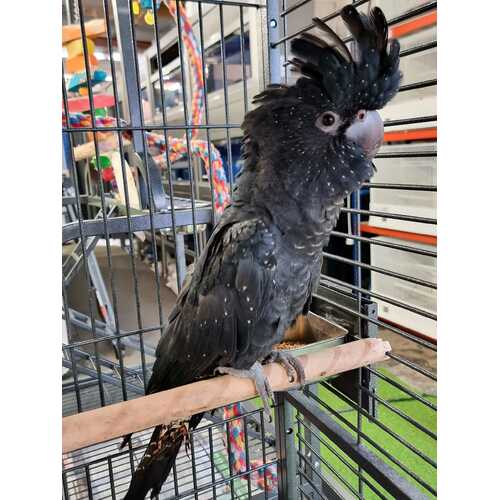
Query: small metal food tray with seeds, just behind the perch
[312, 333]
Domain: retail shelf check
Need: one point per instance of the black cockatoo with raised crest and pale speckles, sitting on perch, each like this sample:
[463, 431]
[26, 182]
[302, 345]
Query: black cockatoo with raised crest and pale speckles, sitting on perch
[306, 147]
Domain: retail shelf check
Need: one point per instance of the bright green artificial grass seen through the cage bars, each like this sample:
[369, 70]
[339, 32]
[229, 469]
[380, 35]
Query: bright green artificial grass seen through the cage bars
[407, 431]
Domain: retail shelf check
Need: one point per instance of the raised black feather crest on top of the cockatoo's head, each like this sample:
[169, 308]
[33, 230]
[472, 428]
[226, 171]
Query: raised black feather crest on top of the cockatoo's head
[365, 77]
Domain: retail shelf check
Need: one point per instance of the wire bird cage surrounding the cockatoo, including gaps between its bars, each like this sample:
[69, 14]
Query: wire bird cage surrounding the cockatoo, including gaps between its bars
[152, 107]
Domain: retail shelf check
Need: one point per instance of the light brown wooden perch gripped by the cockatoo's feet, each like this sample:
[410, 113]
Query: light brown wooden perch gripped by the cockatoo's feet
[96, 426]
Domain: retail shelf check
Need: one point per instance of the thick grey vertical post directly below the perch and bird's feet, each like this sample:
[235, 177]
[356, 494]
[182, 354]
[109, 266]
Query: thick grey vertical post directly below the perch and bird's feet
[285, 448]
